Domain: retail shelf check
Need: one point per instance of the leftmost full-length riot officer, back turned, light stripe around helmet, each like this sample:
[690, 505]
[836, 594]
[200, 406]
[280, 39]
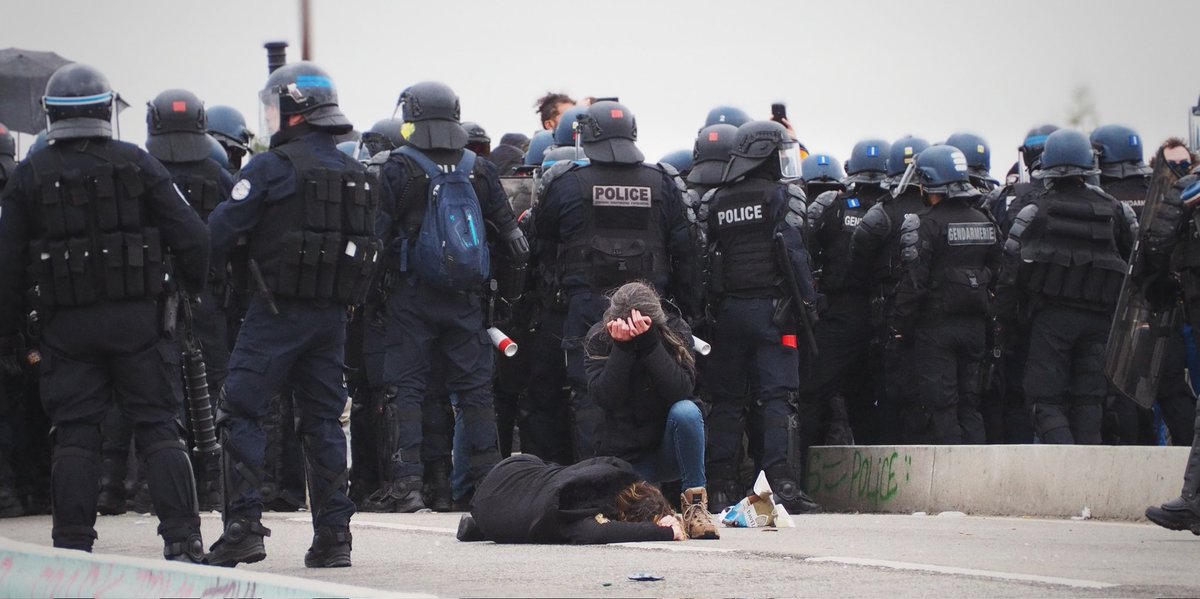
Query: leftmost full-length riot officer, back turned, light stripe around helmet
[92, 219]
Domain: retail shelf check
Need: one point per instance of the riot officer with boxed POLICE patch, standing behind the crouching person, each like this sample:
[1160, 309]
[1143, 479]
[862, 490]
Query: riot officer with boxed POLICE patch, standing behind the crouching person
[610, 223]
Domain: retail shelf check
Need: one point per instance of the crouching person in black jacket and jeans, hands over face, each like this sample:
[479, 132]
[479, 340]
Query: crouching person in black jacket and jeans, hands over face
[643, 375]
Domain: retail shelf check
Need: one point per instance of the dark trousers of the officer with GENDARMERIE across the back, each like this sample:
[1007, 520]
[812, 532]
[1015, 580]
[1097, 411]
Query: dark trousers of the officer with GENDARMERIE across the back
[949, 354]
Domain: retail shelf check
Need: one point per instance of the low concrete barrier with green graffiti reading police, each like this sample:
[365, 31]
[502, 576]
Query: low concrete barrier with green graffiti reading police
[1004, 481]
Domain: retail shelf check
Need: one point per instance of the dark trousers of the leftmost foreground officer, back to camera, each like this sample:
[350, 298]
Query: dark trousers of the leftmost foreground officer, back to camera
[92, 357]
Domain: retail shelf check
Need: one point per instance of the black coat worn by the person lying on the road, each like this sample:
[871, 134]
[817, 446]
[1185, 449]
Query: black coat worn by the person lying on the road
[526, 500]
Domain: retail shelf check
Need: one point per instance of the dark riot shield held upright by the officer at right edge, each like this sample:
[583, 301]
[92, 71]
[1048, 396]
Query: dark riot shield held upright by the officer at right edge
[1142, 330]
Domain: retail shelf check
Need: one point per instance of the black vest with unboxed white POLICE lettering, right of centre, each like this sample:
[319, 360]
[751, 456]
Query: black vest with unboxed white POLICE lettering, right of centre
[745, 235]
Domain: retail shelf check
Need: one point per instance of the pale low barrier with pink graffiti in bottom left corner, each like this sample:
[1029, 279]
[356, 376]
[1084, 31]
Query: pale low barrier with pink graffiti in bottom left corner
[34, 571]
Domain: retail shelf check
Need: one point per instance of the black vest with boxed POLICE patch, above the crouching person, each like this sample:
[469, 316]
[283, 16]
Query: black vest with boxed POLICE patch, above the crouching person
[622, 238]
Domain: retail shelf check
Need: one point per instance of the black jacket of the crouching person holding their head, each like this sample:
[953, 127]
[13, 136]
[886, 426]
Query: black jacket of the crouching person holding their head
[635, 384]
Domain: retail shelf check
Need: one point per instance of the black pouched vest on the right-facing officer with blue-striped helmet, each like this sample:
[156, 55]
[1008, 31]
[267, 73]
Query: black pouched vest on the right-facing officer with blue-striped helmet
[328, 250]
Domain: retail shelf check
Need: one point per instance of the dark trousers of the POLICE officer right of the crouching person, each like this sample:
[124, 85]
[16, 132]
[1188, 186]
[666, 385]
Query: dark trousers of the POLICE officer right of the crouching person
[754, 372]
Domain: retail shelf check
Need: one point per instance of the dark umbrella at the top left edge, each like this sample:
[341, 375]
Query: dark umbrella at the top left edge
[23, 76]
